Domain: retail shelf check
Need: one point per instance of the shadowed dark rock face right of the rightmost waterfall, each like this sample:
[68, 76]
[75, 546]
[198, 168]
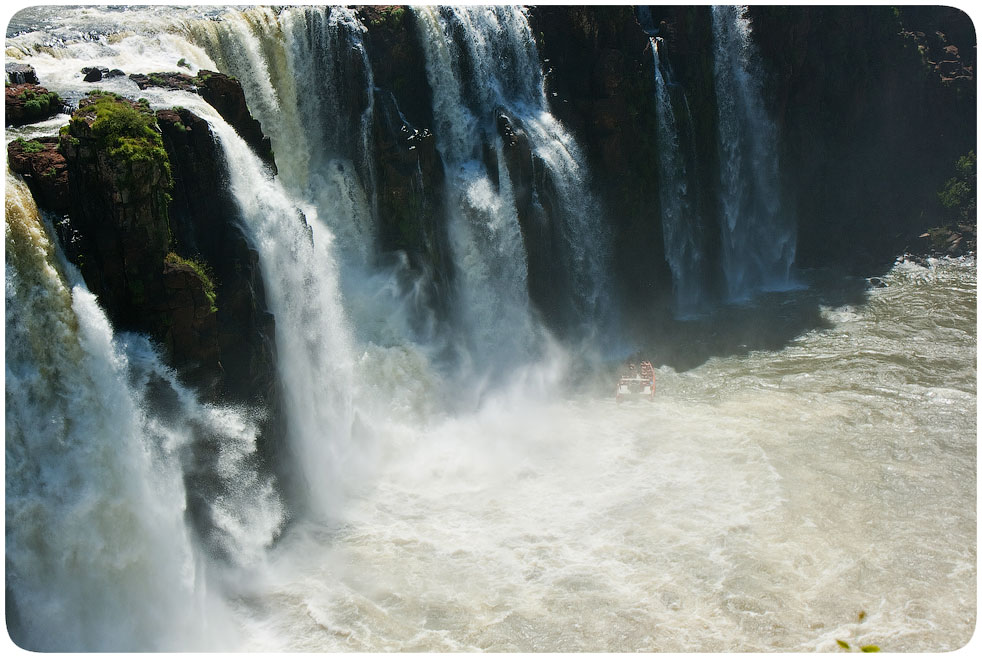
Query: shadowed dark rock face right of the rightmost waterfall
[874, 106]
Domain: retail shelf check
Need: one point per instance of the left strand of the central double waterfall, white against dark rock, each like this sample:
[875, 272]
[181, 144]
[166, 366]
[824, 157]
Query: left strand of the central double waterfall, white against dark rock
[484, 231]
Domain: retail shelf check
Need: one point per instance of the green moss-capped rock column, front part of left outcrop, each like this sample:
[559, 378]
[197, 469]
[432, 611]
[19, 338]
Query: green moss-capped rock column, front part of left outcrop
[119, 197]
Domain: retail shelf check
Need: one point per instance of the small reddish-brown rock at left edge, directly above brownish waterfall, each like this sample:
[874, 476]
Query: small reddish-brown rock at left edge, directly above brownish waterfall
[43, 167]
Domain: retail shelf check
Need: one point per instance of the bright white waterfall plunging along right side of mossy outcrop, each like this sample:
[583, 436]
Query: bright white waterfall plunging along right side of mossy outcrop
[314, 345]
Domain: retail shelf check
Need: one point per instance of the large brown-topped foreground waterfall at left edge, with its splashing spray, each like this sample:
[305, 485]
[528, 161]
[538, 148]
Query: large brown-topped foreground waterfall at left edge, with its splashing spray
[99, 438]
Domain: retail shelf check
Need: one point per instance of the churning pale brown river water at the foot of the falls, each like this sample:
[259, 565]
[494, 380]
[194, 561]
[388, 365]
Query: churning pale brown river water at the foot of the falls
[761, 502]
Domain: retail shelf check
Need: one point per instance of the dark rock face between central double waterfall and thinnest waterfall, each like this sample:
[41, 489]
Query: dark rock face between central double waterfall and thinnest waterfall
[600, 85]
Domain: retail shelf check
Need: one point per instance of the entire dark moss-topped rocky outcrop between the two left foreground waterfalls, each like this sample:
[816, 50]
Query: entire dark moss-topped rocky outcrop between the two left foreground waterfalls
[149, 222]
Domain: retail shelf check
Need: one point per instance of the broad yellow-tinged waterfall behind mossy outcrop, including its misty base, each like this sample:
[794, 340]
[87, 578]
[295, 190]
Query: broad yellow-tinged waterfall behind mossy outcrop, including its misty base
[307, 78]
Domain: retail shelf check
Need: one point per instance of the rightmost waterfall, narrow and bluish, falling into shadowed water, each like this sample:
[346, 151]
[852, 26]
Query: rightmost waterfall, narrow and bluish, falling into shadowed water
[758, 238]
